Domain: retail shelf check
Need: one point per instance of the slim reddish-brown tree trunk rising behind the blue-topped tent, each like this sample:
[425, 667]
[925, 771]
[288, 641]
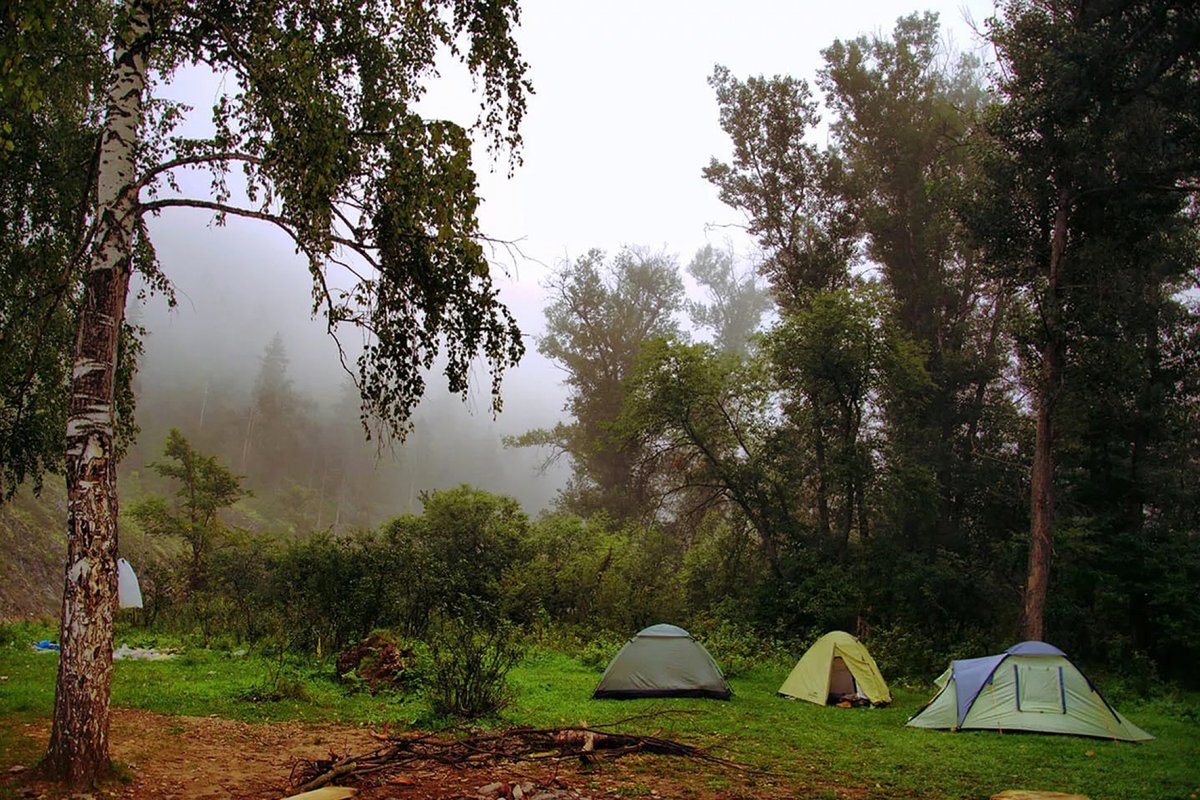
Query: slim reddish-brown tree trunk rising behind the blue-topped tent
[1042, 479]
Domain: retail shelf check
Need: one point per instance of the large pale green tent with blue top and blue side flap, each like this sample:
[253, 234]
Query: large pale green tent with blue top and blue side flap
[1031, 687]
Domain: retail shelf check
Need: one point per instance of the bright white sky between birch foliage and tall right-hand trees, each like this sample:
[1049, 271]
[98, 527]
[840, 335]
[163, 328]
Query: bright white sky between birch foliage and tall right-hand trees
[623, 119]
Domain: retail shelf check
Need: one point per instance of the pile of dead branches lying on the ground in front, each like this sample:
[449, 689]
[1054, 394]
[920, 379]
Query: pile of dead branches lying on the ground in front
[521, 744]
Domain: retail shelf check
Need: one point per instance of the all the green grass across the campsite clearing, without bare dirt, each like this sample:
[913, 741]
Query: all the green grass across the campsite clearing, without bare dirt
[815, 751]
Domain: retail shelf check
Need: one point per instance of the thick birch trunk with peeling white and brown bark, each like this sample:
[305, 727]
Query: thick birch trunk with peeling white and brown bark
[80, 737]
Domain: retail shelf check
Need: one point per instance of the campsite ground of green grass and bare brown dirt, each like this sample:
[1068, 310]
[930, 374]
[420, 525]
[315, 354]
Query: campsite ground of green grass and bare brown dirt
[195, 727]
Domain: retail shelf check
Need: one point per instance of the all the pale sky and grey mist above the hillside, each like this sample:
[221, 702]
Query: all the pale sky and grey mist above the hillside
[613, 158]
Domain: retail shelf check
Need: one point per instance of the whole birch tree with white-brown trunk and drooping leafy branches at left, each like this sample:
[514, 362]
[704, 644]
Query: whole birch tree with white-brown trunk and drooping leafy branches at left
[317, 116]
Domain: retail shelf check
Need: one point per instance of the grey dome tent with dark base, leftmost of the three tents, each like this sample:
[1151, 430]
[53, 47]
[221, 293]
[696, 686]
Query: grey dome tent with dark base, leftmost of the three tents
[663, 661]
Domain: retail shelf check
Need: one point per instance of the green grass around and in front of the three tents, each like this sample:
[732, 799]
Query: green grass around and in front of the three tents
[873, 750]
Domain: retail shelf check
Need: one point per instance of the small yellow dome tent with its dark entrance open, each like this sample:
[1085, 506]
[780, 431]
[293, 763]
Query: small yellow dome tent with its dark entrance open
[837, 666]
